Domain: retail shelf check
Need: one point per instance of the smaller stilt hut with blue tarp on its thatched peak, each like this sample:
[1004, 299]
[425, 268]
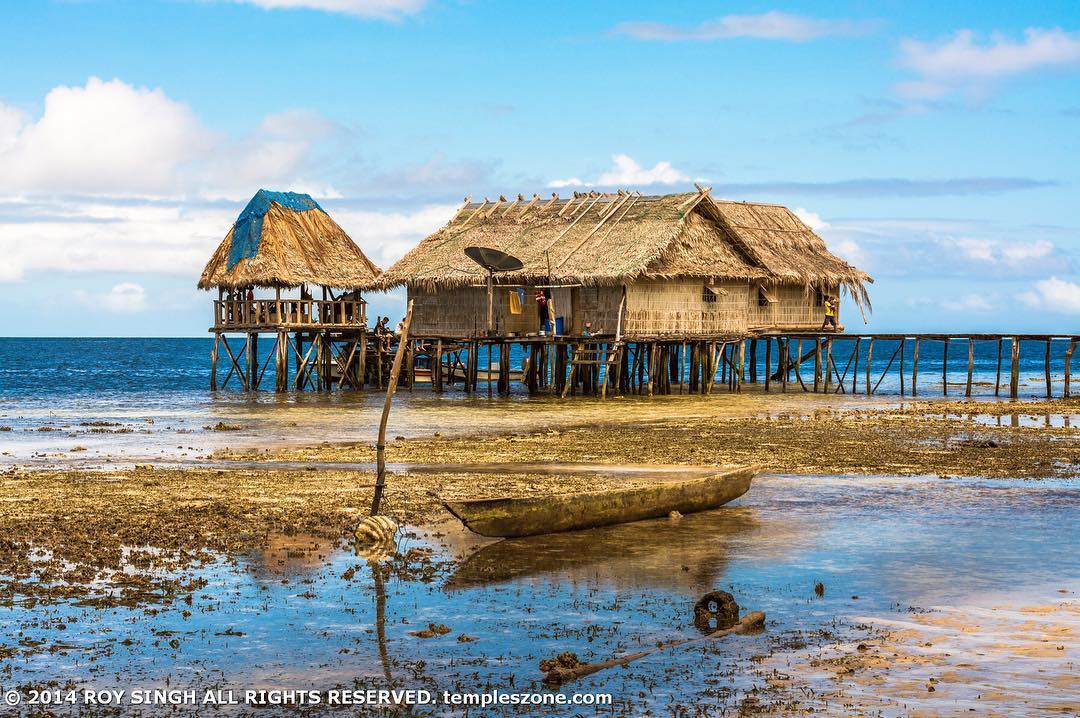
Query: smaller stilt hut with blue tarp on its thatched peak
[287, 243]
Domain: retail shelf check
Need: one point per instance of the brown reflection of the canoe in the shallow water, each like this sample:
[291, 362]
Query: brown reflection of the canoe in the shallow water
[651, 553]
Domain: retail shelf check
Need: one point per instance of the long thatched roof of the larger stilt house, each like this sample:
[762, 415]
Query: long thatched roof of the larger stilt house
[597, 239]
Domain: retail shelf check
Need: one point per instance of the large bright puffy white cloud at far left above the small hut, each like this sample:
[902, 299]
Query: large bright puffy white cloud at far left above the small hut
[115, 140]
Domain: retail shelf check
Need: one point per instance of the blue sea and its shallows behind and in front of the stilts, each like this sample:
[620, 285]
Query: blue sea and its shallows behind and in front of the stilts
[97, 401]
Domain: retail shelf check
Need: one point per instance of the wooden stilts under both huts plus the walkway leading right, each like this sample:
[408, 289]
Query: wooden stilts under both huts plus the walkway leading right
[327, 355]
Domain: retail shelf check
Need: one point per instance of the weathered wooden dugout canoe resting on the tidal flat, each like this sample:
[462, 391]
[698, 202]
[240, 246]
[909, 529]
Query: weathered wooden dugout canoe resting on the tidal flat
[568, 512]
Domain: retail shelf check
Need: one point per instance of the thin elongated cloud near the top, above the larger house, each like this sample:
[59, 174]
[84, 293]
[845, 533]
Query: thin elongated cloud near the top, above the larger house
[767, 26]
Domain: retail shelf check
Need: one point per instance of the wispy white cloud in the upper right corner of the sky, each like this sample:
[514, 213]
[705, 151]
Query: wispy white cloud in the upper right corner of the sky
[963, 63]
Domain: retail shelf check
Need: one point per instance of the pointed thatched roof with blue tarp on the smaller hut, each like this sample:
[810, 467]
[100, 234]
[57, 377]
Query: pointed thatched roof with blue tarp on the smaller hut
[285, 240]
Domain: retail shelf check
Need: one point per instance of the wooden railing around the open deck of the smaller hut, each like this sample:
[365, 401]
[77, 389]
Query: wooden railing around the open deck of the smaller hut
[289, 313]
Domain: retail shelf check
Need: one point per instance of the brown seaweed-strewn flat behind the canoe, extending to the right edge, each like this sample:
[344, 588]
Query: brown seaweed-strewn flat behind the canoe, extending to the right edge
[929, 438]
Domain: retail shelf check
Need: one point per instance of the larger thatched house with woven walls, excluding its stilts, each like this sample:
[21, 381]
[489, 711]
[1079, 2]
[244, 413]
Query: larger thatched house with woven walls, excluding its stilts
[691, 265]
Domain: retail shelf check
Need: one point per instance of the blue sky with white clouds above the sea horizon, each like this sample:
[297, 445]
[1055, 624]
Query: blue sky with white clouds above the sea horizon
[935, 145]
